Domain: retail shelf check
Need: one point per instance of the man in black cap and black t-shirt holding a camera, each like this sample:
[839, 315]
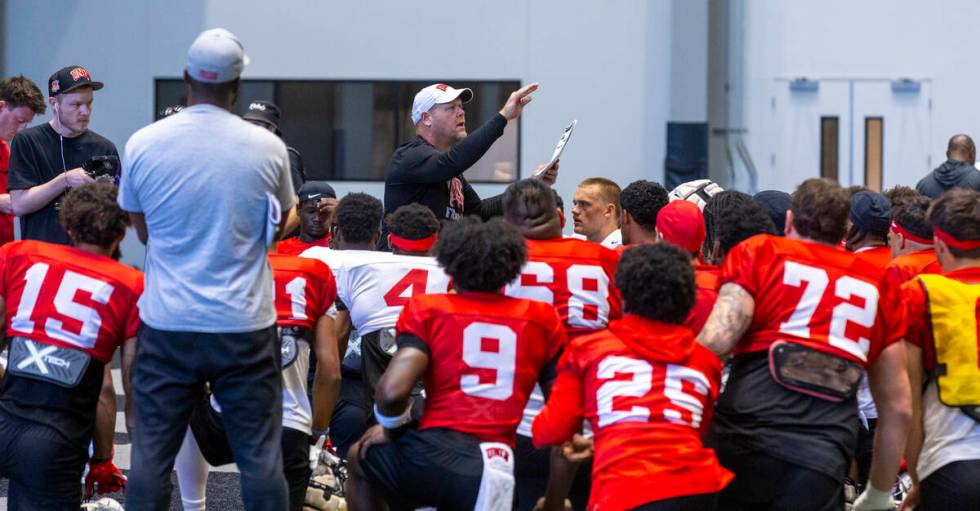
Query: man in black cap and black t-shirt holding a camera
[47, 160]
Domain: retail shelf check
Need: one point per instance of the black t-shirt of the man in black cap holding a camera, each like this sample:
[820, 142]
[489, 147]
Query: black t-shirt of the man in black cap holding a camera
[35, 159]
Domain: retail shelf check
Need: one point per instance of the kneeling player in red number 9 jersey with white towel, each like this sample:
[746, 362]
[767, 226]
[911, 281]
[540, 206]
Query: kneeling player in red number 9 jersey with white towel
[479, 353]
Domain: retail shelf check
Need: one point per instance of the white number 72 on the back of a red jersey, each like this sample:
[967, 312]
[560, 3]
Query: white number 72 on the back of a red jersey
[814, 282]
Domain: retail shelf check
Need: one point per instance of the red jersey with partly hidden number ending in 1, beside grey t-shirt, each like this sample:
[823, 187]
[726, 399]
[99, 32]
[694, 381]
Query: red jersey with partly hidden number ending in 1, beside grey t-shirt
[305, 290]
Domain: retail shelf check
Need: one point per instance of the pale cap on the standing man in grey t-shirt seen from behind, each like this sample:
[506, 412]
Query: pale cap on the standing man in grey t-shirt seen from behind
[216, 57]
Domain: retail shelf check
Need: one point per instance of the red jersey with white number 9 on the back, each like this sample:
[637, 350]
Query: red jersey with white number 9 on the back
[487, 351]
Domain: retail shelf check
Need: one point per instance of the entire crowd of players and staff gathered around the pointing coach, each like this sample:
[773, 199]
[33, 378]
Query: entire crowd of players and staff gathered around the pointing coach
[696, 349]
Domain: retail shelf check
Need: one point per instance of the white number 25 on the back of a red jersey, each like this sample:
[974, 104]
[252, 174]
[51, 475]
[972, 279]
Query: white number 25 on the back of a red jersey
[685, 407]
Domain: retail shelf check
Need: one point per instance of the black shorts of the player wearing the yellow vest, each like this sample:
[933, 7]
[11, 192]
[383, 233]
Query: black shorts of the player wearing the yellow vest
[954, 486]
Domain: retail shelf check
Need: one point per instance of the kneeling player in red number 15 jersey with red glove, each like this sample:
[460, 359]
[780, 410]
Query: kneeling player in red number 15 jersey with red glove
[67, 309]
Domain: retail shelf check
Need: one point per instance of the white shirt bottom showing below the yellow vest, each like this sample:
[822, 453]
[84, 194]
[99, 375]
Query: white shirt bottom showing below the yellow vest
[950, 435]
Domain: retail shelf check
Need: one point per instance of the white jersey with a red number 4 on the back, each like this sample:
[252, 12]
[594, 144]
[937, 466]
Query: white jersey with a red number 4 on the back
[375, 286]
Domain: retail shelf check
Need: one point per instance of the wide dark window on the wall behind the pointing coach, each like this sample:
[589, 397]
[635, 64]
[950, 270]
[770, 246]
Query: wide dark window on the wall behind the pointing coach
[347, 130]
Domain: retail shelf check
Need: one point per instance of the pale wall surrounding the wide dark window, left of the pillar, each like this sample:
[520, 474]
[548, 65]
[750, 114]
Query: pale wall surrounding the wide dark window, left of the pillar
[604, 62]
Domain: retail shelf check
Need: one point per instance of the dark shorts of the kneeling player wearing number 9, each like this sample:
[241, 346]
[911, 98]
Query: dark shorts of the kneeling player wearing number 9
[434, 467]
